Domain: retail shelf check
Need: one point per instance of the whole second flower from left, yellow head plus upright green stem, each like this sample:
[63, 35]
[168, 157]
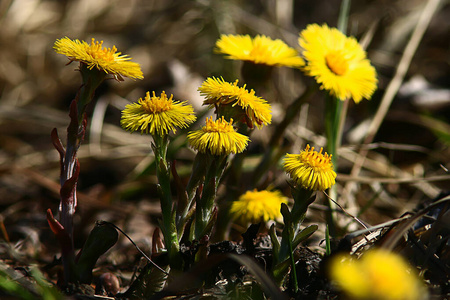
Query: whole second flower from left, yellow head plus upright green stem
[157, 116]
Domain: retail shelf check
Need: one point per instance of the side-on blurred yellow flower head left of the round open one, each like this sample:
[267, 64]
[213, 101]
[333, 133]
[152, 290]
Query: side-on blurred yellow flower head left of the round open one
[260, 50]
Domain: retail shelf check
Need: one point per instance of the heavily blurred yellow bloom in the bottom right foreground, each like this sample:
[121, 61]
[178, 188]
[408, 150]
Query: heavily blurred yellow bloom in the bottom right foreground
[378, 275]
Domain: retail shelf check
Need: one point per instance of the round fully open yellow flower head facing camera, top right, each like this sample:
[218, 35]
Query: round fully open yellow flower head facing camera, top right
[338, 63]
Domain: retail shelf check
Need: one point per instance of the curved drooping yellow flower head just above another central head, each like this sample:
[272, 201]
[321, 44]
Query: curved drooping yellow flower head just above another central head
[218, 91]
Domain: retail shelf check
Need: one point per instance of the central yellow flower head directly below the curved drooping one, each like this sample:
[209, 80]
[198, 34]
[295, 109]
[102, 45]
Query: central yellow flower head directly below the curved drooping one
[218, 137]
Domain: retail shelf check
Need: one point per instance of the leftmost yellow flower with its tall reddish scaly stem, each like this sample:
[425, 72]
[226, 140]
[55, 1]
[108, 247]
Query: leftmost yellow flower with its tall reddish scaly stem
[95, 64]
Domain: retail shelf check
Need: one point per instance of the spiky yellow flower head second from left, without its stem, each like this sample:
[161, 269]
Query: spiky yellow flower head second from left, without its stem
[157, 115]
